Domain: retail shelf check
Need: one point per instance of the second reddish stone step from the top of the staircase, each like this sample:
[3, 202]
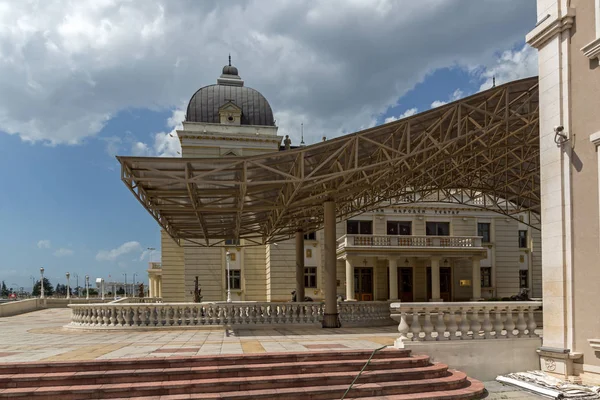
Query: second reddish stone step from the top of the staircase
[205, 372]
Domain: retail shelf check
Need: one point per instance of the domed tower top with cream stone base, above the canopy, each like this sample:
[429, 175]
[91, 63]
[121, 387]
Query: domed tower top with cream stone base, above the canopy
[228, 119]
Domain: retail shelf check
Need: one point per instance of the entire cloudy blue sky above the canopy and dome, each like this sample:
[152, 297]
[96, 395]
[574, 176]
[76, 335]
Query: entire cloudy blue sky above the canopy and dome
[84, 80]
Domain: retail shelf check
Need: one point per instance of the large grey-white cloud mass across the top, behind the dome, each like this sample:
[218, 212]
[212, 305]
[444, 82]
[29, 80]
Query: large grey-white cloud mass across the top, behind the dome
[78, 64]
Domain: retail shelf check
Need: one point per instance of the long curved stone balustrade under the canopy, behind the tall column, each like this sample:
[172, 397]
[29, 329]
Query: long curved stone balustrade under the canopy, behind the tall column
[250, 314]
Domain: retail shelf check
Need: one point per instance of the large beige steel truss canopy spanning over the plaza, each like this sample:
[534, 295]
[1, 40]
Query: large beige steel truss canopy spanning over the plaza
[482, 150]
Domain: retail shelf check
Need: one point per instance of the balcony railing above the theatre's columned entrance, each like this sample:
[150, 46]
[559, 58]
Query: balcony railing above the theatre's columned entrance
[409, 241]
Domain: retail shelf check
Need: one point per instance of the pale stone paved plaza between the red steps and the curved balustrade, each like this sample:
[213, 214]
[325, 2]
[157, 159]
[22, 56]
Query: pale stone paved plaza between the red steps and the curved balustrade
[41, 335]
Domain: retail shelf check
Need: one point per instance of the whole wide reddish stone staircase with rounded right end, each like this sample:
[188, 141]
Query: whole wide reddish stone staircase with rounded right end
[391, 374]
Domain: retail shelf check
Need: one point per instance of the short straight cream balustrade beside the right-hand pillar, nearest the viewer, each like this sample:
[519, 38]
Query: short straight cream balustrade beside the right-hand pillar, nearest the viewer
[465, 321]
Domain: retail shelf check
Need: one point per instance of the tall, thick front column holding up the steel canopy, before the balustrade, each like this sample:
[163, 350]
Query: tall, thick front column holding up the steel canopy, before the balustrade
[330, 319]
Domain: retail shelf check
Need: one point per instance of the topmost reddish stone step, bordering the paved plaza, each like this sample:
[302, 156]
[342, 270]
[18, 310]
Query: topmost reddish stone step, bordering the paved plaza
[194, 361]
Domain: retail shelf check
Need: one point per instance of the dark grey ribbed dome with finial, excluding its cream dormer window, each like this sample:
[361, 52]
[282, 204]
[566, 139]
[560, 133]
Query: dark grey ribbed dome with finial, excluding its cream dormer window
[205, 103]
